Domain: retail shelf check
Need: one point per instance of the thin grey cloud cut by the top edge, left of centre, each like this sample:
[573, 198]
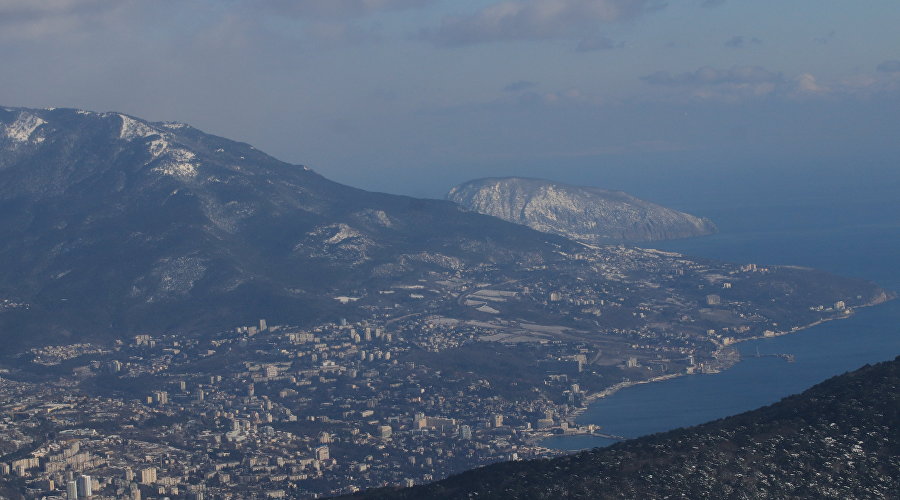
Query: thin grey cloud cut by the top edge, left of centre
[335, 8]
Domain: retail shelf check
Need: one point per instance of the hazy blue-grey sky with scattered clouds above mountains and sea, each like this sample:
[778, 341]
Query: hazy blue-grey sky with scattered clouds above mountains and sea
[665, 99]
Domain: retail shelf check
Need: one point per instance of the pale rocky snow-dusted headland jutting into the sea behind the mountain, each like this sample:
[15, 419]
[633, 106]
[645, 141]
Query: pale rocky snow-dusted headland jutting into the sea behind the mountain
[586, 214]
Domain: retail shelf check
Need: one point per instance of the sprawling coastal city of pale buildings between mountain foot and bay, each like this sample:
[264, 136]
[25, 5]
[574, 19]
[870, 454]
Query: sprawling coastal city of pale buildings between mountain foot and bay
[464, 369]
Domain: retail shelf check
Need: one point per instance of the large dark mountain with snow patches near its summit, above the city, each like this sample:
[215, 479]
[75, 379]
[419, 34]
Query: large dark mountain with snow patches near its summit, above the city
[111, 223]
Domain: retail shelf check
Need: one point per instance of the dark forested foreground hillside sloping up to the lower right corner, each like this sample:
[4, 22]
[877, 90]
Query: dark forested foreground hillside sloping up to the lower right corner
[839, 439]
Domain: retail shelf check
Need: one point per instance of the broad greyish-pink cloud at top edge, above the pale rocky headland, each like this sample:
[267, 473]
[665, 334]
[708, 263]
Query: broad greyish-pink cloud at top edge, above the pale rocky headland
[536, 20]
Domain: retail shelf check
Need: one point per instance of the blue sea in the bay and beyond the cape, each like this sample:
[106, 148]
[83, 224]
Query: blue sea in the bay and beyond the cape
[856, 235]
